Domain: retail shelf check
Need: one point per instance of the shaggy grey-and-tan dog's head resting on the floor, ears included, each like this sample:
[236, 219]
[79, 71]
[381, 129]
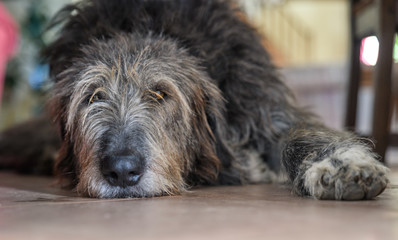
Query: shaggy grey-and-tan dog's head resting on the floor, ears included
[134, 115]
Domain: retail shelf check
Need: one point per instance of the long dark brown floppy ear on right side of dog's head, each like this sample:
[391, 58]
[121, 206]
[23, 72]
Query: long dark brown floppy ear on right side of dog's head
[213, 160]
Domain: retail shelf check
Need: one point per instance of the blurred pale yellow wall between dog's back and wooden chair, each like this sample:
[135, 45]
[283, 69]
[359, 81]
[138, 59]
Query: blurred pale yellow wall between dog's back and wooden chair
[326, 22]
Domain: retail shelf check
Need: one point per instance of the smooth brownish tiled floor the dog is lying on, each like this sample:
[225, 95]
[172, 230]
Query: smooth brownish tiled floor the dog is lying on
[30, 208]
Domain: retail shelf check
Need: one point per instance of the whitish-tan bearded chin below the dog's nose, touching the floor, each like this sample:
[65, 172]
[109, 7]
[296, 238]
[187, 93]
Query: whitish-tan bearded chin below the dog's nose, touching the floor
[149, 186]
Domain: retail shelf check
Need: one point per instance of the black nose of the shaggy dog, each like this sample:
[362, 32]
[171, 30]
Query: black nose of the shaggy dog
[122, 171]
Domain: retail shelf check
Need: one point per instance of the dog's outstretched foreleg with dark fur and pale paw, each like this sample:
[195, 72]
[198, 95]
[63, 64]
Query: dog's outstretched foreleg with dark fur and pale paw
[328, 164]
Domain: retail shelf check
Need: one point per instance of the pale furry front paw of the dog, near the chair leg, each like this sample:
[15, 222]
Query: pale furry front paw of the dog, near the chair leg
[347, 174]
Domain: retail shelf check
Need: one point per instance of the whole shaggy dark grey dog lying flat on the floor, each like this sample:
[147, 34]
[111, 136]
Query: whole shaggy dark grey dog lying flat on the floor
[154, 96]
